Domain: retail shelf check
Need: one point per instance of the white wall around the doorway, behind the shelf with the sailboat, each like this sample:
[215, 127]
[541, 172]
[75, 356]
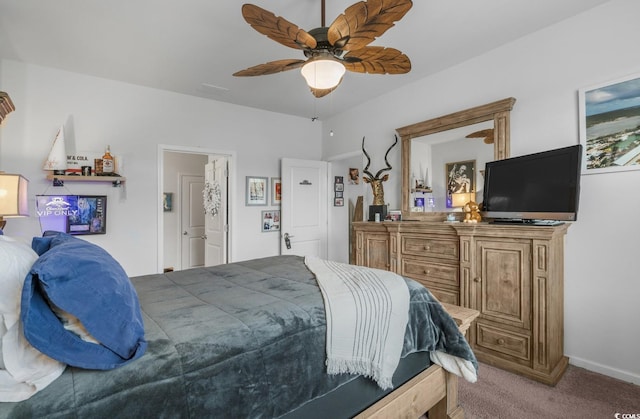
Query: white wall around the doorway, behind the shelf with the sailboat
[134, 121]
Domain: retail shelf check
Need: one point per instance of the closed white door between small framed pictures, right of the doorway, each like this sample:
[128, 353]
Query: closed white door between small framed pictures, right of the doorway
[304, 206]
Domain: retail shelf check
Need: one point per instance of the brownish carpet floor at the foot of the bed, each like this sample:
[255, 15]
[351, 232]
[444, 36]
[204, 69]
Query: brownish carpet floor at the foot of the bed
[580, 394]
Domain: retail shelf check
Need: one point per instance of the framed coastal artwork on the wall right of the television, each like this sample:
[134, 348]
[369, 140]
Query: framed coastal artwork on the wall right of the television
[610, 126]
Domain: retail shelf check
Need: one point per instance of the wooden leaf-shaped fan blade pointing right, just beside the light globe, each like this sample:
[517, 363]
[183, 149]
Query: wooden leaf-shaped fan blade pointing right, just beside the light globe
[377, 60]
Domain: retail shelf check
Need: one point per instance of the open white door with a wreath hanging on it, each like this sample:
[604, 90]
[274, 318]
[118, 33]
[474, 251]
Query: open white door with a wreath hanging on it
[216, 226]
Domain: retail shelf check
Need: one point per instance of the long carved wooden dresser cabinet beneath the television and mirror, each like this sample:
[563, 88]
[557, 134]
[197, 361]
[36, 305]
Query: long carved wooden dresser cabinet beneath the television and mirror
[511, 274]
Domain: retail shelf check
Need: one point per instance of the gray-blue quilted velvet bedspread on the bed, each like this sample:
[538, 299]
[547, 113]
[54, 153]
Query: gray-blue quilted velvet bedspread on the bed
[243, 340]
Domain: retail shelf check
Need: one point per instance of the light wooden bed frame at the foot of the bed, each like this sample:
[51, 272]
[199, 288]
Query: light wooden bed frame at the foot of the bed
[434, 390]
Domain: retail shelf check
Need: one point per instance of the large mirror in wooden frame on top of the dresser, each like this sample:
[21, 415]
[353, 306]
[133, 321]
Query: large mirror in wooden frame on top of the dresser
[443, 158]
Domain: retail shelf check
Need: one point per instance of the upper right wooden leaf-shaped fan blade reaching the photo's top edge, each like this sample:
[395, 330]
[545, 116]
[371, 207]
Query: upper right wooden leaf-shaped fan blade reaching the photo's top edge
[364, 21]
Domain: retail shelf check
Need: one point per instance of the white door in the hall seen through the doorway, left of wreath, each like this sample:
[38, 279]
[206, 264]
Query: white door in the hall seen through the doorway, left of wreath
[192, 221]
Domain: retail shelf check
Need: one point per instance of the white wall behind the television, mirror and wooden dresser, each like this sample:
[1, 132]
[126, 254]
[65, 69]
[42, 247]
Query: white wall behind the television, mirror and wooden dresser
[543, 72]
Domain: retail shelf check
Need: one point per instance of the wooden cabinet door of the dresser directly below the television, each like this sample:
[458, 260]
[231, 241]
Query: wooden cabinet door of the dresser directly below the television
[504, 281]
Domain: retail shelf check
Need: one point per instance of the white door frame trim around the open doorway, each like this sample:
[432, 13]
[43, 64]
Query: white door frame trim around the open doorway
[231, 156]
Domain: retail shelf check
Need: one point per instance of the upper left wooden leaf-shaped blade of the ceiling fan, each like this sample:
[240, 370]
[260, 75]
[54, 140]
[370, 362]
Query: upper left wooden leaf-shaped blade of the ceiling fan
[277, 28]
